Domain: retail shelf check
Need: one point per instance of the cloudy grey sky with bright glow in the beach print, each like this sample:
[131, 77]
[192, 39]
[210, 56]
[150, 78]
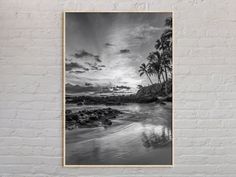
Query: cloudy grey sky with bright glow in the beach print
[104, 50]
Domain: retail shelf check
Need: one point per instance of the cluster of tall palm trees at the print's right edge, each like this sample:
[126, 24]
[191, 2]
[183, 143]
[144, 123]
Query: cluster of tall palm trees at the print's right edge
[159, 62]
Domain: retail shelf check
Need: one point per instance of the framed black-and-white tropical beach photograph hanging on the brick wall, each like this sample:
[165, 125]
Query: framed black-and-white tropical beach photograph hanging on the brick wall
[117, 89]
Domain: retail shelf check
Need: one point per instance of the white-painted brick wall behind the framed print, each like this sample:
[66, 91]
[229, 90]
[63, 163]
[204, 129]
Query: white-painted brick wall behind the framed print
[31, 79]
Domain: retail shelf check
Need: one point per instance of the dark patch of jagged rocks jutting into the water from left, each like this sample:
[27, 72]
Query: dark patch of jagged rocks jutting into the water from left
[90, 118]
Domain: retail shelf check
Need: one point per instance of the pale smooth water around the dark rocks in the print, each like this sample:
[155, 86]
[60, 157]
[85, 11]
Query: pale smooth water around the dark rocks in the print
[131, 140]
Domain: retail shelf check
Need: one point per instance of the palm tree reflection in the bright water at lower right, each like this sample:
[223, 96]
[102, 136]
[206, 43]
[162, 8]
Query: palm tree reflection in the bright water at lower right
[156, 137]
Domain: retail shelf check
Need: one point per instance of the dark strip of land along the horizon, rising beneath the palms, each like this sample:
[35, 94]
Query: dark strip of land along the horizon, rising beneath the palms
[148, 94]
